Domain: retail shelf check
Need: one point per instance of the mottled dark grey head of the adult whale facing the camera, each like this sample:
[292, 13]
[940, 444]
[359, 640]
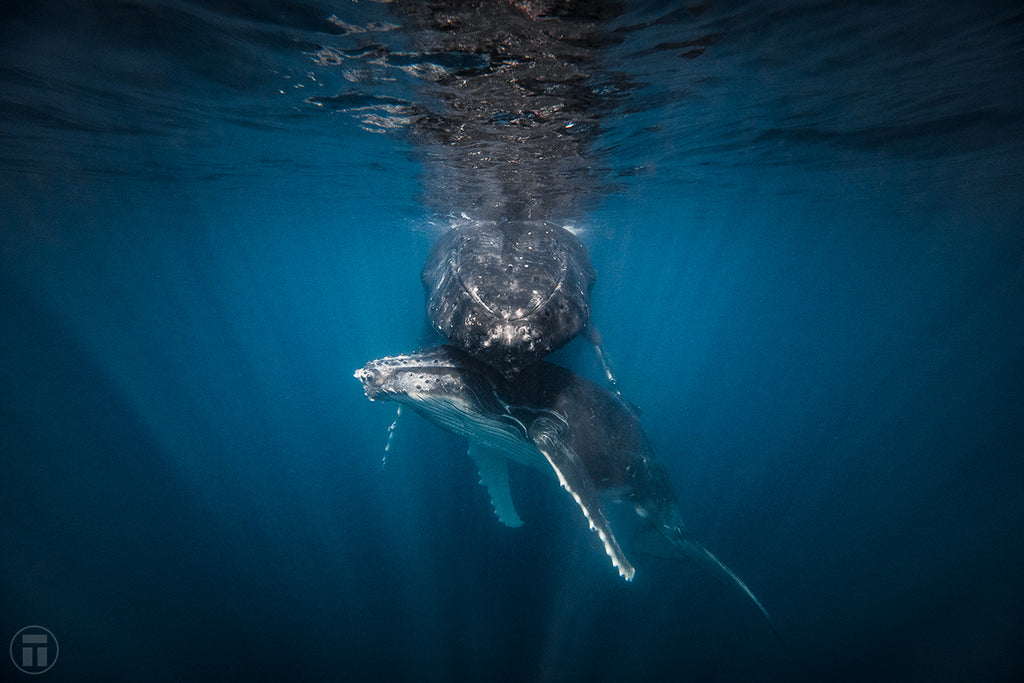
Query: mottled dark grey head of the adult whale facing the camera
[508, 292]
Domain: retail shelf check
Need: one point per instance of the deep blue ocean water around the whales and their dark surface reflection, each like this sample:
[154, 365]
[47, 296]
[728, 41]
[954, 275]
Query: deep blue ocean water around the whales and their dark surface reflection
[809, 243]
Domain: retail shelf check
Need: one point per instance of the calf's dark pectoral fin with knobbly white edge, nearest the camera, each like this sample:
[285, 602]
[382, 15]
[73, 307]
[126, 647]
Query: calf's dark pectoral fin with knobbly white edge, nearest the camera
[575, 480]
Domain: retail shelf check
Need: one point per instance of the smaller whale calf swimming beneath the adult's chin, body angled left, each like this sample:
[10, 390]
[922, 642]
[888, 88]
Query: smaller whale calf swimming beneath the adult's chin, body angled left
[551, 419]
